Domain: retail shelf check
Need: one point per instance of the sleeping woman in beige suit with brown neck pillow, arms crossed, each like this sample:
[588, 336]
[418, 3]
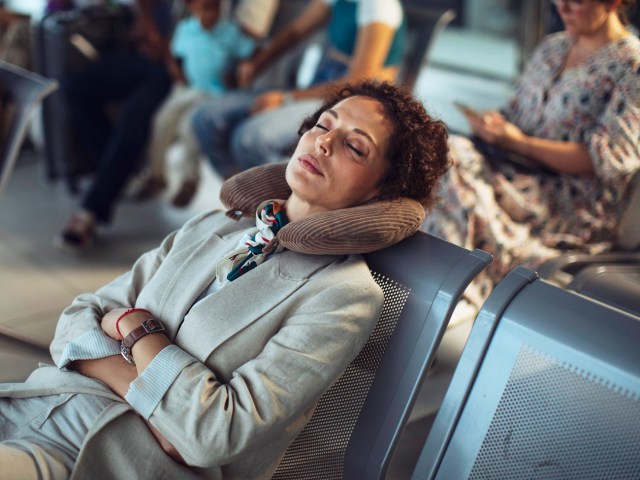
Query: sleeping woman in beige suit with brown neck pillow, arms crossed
[246, 331]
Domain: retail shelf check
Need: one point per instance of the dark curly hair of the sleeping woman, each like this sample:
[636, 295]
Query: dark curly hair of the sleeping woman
[417, 152]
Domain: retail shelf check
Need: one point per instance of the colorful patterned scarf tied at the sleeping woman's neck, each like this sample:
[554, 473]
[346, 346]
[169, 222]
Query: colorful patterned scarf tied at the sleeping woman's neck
[270, 218]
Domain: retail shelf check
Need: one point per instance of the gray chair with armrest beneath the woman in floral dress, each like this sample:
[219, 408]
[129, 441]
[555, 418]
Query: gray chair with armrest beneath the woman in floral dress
[612, 277]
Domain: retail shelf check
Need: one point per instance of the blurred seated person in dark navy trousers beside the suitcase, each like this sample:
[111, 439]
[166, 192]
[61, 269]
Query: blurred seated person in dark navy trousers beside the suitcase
[137, 77]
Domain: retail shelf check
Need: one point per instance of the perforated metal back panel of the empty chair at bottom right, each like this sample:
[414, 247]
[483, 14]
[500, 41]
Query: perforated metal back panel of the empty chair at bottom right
[557, 420]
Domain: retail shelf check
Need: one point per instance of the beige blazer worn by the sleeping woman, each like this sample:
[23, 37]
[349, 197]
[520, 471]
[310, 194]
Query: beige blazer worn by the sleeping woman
[265, 347]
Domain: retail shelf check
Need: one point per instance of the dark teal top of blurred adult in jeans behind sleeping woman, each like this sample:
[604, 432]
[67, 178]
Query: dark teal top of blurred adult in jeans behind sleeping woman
[343, 30]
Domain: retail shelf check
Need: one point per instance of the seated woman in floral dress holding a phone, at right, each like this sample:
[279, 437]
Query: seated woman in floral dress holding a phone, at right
[576, 111]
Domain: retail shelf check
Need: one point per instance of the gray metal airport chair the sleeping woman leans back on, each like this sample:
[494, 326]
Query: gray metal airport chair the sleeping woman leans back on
[358, 422]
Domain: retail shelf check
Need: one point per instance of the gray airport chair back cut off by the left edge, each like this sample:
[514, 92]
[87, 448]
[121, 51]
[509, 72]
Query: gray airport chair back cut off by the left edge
[23, 91]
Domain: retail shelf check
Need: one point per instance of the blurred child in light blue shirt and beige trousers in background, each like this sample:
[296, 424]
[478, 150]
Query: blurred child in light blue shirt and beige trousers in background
[204, 48]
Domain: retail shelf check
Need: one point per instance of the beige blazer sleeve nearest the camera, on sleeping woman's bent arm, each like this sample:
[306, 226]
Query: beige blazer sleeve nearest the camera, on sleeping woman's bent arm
[213, 423]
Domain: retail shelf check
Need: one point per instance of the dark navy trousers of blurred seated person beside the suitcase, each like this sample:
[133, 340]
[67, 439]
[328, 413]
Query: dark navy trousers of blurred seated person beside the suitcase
[140, 85]
